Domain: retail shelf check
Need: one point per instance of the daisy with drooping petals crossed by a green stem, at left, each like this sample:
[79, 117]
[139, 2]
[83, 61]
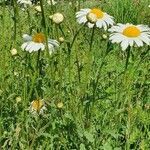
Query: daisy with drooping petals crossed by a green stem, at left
[38, 42]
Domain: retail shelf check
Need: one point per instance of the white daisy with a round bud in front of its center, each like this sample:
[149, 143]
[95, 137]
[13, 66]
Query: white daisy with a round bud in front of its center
[94, 17]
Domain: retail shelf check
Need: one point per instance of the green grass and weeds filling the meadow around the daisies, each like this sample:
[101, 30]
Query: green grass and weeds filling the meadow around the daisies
[105, 107]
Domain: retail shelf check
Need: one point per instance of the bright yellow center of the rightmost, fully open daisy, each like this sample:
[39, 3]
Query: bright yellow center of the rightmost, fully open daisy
[131, 31]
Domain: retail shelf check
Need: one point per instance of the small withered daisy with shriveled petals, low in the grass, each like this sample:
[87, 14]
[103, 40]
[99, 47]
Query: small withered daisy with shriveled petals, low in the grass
[37, 106]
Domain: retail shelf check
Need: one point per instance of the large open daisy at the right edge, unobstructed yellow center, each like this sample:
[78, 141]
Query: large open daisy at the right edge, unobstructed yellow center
[129, 34]
